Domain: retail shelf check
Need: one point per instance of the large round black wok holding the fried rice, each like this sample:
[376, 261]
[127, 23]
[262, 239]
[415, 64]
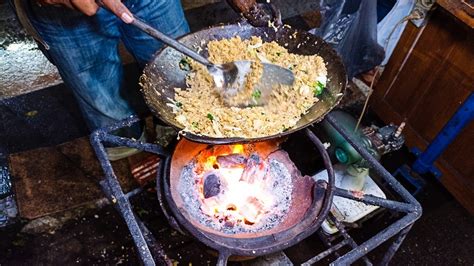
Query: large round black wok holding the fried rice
[163, 74]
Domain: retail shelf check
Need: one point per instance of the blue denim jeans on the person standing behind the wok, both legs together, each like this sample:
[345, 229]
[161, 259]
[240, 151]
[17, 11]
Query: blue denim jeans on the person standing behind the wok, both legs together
[85, 51]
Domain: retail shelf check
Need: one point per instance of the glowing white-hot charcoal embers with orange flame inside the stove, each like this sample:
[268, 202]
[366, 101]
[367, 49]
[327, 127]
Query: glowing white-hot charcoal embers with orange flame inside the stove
[233, 187]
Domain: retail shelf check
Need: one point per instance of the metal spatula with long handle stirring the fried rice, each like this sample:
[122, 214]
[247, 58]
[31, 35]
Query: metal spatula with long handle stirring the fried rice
[229, 78]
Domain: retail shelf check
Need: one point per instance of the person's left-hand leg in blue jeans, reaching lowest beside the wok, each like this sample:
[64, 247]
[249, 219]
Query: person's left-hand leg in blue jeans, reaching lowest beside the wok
[85, 51]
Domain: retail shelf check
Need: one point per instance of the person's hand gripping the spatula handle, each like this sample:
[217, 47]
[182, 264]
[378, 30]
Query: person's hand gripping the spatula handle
[90, 7]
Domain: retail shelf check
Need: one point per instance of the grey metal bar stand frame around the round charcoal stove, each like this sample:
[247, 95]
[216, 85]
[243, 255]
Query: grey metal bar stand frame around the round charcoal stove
[151, 252]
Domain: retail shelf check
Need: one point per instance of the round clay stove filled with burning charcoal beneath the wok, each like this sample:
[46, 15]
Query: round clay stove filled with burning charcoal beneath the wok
[243, 199]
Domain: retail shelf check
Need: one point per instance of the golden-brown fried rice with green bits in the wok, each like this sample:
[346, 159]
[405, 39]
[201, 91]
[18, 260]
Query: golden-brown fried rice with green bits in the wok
[202, 111]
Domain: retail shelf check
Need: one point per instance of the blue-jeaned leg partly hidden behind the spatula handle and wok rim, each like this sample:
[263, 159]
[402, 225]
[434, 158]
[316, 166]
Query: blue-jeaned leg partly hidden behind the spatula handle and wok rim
[164, 15]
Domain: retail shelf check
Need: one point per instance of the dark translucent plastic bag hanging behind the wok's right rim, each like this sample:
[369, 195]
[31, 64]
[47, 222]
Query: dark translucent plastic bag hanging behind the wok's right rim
[351, 27]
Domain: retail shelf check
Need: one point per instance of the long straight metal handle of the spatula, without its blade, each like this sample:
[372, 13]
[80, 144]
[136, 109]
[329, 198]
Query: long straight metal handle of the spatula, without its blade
[140, 24]
